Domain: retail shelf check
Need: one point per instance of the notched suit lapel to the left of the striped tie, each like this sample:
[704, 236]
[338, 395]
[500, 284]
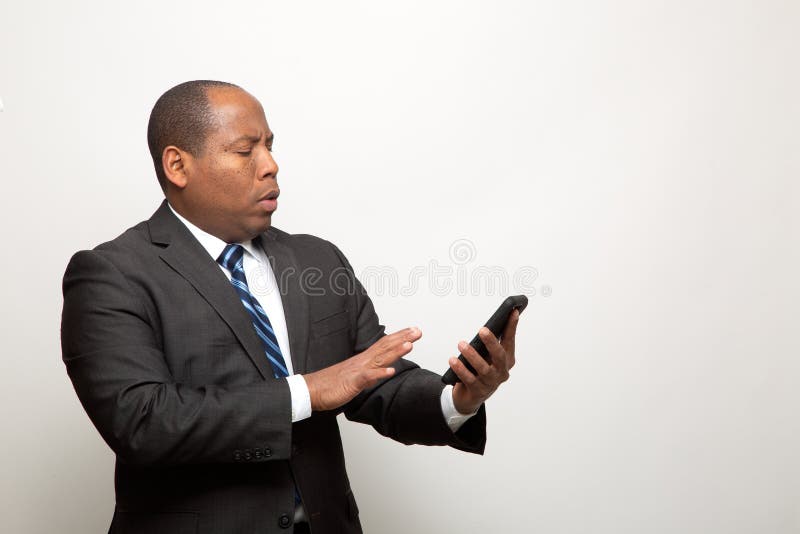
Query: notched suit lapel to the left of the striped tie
[189, 259]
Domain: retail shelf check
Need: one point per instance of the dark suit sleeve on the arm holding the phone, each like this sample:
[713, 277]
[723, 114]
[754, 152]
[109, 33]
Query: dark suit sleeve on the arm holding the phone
[407, 406]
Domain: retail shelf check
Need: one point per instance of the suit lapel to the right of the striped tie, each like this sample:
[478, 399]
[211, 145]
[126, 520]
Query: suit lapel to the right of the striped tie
[295, 302]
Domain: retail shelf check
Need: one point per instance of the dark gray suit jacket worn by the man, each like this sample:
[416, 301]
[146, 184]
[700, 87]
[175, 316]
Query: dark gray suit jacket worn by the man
[166, 362]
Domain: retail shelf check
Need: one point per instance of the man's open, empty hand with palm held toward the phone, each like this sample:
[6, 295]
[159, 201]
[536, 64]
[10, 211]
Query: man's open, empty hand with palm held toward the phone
[336, 385]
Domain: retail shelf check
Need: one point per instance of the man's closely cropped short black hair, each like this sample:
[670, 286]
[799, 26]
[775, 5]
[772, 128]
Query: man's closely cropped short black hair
[181, 117]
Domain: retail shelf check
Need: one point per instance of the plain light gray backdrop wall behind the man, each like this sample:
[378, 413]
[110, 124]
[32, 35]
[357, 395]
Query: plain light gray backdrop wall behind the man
[643, 156]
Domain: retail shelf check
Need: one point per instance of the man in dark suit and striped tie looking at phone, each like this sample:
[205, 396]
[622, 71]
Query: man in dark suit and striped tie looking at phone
[214, 365]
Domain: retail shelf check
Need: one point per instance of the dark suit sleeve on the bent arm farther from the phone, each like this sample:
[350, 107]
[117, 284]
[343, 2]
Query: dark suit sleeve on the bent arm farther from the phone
[114, 359]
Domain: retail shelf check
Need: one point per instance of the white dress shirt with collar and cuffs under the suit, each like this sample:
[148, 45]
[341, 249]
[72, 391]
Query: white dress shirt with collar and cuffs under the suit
[264, 287]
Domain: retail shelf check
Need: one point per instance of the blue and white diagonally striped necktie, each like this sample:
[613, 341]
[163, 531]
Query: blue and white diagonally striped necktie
[232, 258]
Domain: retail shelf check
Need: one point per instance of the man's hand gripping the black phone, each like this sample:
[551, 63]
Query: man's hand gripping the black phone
[473, 390]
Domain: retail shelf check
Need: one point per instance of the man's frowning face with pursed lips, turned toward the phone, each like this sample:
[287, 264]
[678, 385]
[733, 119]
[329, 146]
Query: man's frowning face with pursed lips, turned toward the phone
[232, 187]
